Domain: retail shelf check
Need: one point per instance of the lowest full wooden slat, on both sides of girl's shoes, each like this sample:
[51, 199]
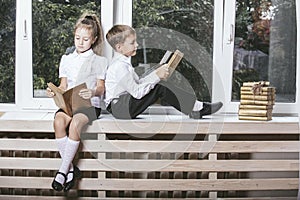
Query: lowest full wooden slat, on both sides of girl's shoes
[157, 184]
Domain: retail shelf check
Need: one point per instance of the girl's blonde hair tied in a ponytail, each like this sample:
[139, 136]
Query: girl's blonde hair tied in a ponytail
[92, 22]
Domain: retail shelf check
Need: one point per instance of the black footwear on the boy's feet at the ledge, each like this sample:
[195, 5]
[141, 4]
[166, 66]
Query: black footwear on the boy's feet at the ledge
[208, 109]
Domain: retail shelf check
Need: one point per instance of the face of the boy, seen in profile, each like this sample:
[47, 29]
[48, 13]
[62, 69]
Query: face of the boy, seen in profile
[129, 47]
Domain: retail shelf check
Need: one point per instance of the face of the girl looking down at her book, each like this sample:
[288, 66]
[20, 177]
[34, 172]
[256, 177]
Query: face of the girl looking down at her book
[83, 39]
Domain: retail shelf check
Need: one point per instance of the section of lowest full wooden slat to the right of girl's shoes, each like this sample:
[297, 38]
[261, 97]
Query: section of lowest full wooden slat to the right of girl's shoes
[194, 184]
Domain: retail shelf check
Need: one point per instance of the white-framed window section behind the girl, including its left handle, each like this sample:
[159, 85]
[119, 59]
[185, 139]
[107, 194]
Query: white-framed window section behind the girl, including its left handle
[49, 32]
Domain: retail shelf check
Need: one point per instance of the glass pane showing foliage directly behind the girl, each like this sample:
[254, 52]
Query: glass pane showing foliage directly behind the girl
[53, 22]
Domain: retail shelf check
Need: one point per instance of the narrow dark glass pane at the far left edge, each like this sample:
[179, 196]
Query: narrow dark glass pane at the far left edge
[7, 51]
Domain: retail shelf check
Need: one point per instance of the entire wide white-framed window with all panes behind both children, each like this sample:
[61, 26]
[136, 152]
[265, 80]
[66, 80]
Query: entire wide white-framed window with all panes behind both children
[214, 35]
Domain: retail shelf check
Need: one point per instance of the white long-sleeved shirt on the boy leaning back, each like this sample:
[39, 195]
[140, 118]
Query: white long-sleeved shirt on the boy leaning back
[121, 79]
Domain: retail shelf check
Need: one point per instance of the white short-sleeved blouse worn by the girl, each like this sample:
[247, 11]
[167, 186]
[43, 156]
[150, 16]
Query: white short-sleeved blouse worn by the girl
[85, 67]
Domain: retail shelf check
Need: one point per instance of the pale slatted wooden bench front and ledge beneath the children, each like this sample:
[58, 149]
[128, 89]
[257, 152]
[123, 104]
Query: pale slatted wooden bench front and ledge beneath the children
[156, 156]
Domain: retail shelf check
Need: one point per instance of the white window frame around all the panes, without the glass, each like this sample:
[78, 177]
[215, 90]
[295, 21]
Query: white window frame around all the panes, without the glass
[118, 11]
